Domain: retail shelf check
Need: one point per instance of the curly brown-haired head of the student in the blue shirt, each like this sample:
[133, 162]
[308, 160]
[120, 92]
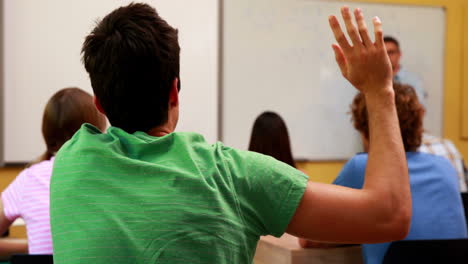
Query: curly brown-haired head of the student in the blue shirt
[410, 114]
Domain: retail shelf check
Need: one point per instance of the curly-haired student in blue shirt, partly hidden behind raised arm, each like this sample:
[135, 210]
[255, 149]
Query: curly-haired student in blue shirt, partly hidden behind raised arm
[437, 207]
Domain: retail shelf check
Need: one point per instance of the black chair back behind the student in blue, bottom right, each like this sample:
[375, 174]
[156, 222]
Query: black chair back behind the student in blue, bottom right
[451, 251]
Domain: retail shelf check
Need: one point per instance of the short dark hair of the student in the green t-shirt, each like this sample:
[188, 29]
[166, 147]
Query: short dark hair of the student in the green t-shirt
[132, 57]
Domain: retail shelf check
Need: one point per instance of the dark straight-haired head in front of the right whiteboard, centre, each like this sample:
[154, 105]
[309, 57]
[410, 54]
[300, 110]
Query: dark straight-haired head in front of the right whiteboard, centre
[270, 137]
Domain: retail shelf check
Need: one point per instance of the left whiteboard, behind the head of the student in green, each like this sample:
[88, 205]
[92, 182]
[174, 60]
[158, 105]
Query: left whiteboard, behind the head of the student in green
[42, 43]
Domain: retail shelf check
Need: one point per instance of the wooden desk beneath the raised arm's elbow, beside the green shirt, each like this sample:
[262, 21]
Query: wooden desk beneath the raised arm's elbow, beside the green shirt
[286, 250]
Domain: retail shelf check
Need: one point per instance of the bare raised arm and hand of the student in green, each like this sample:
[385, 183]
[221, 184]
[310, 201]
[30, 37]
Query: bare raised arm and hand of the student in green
[381, 211]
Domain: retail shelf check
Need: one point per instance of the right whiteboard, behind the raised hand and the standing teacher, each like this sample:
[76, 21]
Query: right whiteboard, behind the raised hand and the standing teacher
[277, 56]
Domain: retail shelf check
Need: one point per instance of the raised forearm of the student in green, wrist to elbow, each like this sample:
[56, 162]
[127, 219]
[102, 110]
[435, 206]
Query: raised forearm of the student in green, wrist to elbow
[387, 178]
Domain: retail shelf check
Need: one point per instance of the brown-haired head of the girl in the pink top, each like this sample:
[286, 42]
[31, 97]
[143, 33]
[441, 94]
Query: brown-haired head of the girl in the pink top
[64, 114]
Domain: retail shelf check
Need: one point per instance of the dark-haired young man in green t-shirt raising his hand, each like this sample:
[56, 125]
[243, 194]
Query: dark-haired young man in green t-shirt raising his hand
[143, 193]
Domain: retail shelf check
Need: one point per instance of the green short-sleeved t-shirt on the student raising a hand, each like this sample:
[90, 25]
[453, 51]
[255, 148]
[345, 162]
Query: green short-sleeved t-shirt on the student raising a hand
[134, 198]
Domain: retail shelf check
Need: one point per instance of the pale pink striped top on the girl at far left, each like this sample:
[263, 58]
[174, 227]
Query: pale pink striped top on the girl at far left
[27, 197]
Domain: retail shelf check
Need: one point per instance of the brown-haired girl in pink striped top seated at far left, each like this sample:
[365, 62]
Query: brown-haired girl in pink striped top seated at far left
[27, 197]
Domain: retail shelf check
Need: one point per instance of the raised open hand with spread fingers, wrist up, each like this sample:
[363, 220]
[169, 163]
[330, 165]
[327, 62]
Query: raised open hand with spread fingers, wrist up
[365, 64]
